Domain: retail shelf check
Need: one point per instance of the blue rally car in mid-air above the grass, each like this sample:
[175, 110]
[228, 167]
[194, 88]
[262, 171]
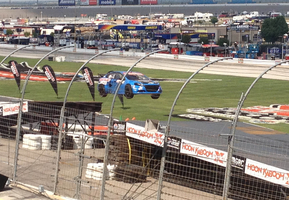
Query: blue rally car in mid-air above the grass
[133, 84]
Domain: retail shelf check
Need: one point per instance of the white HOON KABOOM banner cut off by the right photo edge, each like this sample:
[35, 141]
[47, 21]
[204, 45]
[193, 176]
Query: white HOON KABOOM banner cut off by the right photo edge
[267, 172]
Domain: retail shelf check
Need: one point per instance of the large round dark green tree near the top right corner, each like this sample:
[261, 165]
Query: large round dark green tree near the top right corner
[272, 29]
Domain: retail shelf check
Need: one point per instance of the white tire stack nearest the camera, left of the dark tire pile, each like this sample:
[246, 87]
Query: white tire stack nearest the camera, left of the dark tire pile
[95, 171]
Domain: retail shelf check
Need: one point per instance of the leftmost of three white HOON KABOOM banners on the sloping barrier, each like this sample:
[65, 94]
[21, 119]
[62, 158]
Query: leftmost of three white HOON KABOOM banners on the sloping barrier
[139, 133]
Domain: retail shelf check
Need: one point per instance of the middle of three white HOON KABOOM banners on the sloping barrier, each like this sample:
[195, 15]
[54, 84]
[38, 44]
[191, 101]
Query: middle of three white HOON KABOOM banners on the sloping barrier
[205, 153]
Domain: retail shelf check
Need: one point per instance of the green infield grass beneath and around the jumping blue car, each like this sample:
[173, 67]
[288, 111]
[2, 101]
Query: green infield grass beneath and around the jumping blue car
[203, 91]
